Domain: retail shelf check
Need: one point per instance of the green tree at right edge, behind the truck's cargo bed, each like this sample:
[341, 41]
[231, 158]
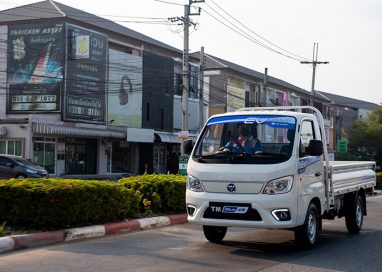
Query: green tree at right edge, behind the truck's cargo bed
[366, 134]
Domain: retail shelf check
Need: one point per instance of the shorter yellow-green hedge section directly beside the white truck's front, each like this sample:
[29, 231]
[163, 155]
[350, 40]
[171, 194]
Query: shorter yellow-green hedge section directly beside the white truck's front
[160, 193]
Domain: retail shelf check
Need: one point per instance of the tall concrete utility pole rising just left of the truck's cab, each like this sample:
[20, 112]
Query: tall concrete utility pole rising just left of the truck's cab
[186, 73]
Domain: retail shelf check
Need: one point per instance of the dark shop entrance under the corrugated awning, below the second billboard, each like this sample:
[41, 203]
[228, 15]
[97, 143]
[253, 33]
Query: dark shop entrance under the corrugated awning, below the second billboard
[80, 156]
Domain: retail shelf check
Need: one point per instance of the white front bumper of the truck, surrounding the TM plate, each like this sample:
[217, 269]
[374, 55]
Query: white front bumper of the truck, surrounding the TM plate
[261, 203]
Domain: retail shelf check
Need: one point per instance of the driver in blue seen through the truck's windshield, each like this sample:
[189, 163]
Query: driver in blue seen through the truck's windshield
[245, 142]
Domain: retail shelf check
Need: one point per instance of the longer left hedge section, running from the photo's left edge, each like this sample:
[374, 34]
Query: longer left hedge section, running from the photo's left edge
[59, 203]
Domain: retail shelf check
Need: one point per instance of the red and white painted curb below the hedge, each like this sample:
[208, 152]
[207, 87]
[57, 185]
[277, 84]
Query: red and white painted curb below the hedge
[15, 242]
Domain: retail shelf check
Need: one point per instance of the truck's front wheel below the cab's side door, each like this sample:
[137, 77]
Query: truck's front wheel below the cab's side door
[307, 234]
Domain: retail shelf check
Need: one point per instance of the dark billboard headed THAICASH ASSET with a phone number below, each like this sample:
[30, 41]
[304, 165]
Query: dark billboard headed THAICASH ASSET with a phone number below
[35, 67]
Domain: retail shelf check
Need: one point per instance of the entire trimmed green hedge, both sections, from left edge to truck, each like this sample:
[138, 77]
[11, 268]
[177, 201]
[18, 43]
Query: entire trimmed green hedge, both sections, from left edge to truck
[54, 203]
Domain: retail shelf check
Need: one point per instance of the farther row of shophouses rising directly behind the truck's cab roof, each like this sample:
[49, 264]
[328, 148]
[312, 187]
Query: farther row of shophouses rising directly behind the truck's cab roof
[229, 86]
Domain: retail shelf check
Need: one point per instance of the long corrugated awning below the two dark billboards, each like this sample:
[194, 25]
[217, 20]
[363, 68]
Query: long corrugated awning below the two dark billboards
[48, 129]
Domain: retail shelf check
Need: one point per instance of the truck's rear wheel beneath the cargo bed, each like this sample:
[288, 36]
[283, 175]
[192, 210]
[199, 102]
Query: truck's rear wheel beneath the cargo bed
[354, 215]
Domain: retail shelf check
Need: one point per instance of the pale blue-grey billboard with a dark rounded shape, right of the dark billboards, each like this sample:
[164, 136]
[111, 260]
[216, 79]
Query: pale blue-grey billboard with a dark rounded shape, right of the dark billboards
[125, 89]
